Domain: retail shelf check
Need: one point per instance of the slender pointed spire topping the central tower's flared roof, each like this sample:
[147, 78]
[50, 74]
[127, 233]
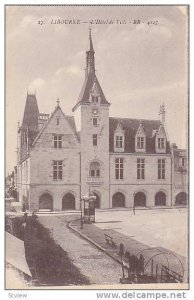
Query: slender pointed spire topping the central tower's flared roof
[90, 60]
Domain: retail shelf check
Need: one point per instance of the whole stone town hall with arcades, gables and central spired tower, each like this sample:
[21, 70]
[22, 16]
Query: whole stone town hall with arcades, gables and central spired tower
[124, 162]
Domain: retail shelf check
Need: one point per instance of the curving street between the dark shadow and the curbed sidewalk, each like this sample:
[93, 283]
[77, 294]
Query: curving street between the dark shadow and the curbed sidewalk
[94, 264]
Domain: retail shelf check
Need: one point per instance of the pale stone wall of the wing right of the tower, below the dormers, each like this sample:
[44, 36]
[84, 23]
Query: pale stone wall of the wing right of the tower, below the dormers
[150, 186]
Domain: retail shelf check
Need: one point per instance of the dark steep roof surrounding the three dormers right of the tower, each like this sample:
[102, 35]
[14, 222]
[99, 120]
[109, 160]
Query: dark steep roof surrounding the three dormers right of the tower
[130, 126]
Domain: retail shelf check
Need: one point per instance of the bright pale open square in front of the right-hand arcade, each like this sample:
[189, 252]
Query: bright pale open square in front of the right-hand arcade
[166, 228]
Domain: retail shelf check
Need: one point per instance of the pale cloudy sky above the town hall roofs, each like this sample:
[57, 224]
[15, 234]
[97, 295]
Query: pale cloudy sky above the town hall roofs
[139, 66]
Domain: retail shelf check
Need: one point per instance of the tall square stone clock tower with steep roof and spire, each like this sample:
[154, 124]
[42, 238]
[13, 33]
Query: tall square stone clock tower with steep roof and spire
[94, 136]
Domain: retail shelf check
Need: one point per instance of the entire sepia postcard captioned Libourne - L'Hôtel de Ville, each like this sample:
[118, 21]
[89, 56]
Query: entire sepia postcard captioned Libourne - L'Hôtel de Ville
[96, 193]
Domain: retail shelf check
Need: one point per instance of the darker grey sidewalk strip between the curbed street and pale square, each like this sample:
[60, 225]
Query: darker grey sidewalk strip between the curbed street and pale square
[160, 255]
